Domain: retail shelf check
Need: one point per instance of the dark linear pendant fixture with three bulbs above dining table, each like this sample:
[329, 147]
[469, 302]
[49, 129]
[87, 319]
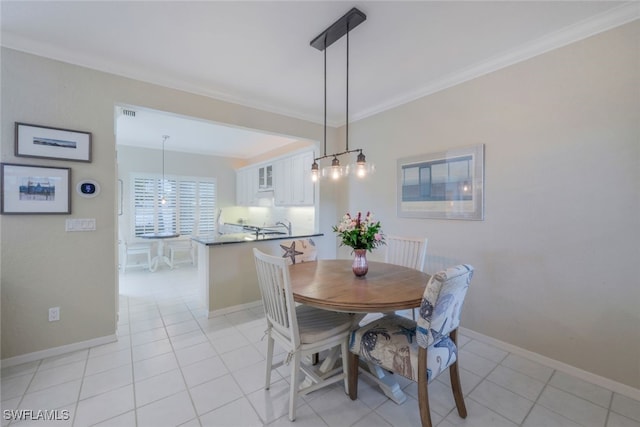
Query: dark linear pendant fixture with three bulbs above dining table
[360, 168]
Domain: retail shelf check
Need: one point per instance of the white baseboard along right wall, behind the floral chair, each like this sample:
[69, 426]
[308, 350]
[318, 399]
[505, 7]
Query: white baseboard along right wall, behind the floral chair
[607, 383]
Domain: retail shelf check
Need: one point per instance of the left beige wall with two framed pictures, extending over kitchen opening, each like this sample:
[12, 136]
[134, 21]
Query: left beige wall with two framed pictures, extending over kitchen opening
[42, 265]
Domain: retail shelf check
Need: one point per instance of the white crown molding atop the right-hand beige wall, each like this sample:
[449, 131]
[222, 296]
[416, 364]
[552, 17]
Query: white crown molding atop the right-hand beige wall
[608, 20]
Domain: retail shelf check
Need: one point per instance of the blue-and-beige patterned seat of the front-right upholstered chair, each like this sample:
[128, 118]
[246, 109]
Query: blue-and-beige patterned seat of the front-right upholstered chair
[390, 342]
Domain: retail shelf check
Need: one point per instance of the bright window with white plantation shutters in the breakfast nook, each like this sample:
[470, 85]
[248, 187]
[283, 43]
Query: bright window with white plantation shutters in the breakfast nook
[183, 205]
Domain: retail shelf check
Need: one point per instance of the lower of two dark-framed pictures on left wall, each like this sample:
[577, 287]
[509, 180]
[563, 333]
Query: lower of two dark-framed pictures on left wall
[28, 189]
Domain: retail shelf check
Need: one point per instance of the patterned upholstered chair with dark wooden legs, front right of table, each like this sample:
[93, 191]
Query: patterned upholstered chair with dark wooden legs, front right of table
[422, 350]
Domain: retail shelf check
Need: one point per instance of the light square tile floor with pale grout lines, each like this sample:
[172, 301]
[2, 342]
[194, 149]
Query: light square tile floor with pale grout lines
[171, 366]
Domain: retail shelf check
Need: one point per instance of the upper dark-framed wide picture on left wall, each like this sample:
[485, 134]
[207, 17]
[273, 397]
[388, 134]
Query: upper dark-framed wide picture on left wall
[52, 143]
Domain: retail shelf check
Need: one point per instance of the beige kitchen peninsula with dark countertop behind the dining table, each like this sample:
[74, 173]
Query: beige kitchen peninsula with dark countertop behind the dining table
[227, 278]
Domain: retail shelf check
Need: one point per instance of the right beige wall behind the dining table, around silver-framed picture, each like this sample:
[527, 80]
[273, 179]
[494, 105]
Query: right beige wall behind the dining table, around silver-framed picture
[556, 255]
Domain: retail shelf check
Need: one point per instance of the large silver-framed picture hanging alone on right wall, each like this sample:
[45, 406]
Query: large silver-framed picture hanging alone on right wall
[442, 185]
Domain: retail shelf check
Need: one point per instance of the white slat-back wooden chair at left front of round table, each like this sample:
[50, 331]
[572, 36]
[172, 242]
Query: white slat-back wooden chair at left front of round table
[301, 330]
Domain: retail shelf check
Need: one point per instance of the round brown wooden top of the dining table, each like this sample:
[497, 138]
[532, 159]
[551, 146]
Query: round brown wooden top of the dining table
[331, 285]
